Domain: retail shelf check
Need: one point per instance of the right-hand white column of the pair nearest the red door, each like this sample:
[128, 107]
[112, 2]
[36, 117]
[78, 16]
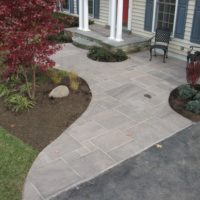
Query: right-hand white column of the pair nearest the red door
[119, 20]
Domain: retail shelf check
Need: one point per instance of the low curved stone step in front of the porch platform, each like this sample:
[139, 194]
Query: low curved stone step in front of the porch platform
[84, 43]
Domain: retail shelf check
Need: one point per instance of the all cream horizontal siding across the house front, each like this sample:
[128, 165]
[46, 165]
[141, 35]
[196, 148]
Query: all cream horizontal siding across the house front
[177, 46]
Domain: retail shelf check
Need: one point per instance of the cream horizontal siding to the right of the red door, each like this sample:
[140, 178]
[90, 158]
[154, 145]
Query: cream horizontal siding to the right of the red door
[176, 44]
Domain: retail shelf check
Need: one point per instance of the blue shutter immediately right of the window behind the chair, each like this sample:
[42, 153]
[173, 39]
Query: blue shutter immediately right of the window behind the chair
[181, 18]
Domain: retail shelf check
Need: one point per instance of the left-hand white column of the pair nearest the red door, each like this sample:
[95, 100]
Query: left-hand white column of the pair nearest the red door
[113, 20]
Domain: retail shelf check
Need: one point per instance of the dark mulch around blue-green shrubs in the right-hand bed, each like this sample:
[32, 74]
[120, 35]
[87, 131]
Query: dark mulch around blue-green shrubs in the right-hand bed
[178, 105]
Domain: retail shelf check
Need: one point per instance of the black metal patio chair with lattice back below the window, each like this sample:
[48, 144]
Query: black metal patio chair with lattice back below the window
[162, 38]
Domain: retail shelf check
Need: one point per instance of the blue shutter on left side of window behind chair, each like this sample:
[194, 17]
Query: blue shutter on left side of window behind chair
[148, 15]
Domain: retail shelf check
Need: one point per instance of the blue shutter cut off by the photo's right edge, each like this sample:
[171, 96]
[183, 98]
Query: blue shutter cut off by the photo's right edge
[195, 35]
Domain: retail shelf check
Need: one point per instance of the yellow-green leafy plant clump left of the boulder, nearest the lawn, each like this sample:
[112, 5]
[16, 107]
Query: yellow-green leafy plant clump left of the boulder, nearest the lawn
[17, 103]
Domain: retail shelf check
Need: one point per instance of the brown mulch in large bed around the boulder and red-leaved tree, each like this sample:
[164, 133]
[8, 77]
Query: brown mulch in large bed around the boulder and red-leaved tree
[49, 118]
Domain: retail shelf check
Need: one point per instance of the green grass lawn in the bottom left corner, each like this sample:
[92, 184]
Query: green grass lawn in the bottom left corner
[15, 160]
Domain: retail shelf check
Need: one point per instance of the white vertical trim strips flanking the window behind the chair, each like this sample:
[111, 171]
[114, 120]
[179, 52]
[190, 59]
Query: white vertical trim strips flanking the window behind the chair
[154, 17]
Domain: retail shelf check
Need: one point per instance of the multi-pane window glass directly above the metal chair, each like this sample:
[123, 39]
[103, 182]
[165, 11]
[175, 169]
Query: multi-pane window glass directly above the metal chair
[165, 14]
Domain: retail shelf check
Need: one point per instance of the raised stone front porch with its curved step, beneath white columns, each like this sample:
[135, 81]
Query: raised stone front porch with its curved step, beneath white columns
[99, 36]
